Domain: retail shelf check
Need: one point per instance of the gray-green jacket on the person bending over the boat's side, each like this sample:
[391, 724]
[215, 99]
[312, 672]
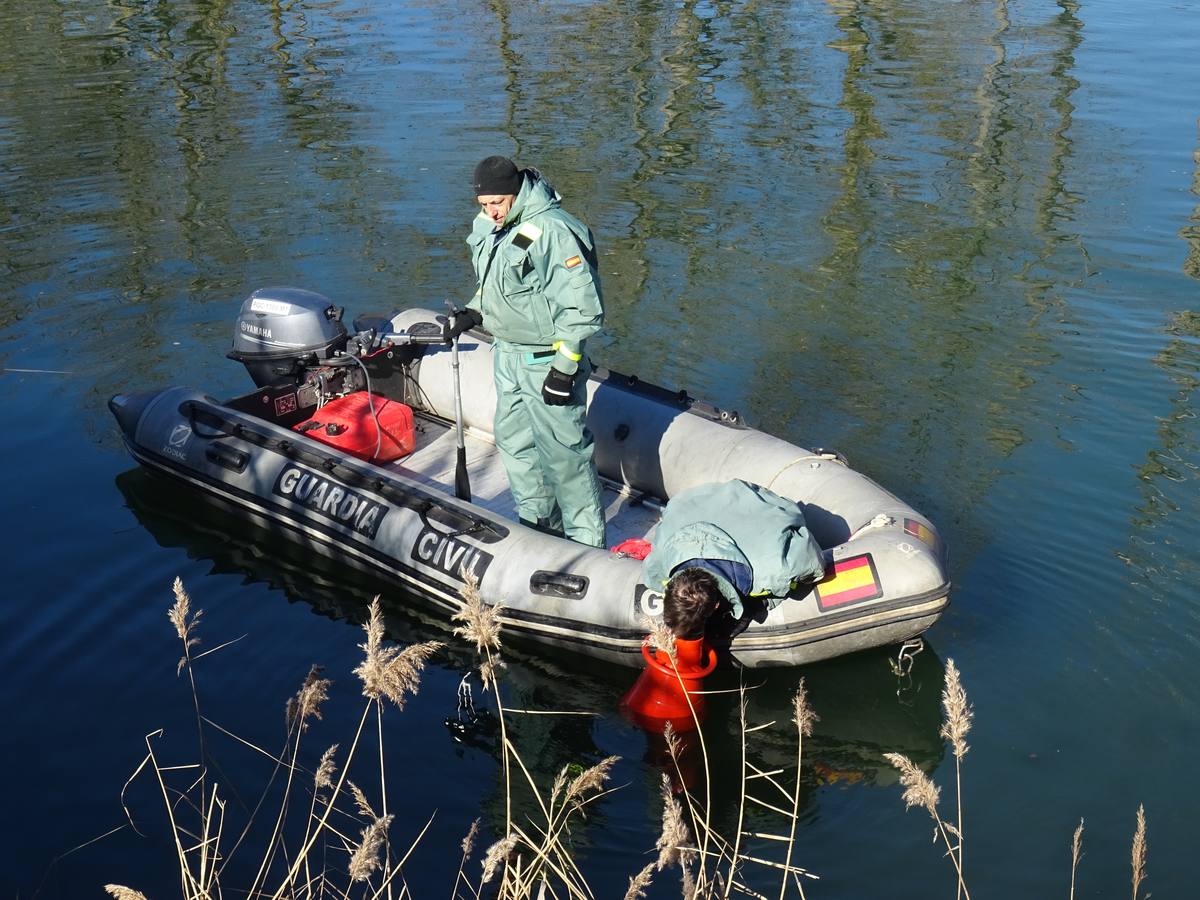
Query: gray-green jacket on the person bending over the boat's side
[743, 524]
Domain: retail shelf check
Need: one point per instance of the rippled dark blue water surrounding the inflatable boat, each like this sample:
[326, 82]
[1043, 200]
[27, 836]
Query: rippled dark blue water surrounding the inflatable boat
[958, 242]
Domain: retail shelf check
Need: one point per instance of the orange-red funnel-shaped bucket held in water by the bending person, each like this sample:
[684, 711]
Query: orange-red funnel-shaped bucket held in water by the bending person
[662, 695]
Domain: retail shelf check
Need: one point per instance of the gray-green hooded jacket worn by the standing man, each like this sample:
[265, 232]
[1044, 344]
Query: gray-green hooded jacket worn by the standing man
[538, 286]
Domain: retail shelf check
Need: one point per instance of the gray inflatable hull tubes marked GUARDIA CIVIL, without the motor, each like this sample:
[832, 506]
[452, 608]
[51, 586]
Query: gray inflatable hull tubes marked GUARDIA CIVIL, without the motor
[401, 520]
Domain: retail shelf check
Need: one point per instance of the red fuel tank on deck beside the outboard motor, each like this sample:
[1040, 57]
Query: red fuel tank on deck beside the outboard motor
[350, 424]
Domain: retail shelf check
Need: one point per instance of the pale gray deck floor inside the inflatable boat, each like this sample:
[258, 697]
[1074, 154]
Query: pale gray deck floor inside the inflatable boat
[433, 464]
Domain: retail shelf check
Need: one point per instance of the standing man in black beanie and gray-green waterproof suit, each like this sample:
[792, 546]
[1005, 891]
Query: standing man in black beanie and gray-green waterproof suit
[539, 296]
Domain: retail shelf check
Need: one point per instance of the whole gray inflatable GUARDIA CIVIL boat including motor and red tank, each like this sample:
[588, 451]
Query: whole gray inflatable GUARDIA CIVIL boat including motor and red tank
[350, 446]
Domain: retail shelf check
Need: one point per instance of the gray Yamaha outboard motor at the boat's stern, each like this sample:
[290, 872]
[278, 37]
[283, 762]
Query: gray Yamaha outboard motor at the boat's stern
[281, 332]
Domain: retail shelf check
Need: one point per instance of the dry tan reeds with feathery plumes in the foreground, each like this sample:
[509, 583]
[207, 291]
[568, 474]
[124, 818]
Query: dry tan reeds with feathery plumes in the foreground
[533, 860]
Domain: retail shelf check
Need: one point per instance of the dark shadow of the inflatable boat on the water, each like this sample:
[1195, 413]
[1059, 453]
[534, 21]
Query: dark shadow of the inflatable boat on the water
[866, 707]
